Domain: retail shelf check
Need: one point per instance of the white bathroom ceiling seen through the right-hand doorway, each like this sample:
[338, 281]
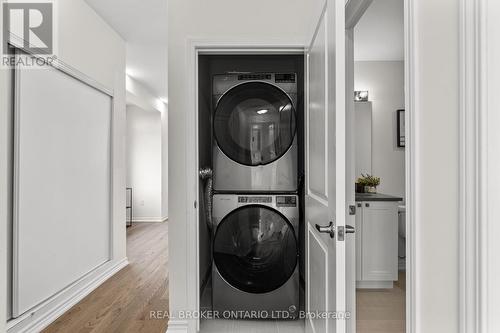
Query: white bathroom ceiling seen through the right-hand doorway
[379, 35]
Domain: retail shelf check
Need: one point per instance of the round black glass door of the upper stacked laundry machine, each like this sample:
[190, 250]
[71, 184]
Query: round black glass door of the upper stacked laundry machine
[254, 123]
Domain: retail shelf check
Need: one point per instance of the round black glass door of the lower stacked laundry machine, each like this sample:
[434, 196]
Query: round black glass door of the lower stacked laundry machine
[255, 249]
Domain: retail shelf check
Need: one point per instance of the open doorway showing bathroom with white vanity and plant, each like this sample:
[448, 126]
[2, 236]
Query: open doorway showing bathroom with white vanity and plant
[377, 74]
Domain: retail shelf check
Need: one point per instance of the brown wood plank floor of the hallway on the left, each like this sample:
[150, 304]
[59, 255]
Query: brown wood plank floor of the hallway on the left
[124, 302]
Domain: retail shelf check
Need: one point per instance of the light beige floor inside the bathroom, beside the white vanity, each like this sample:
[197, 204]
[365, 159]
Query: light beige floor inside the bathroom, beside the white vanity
[382, 311]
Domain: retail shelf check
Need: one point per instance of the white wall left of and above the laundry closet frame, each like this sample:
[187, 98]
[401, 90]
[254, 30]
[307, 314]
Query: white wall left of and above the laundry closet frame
[228, 20]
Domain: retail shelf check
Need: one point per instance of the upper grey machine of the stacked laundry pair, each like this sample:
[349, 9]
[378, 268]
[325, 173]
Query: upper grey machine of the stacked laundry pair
[255, 126]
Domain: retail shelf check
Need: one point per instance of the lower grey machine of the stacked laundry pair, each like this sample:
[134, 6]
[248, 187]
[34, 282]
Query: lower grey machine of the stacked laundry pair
[255, 256]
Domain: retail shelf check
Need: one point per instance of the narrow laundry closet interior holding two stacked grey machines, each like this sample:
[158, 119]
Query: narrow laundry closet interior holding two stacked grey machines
[251, 161]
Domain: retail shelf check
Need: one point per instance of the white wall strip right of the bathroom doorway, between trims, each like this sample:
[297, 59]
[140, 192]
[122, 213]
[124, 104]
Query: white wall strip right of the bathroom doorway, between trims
[437, 164]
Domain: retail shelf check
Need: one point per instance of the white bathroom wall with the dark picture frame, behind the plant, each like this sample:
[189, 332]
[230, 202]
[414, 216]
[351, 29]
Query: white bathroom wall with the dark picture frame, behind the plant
[384, 81]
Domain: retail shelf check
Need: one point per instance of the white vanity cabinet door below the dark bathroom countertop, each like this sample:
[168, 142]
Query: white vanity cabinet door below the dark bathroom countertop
[379, 257]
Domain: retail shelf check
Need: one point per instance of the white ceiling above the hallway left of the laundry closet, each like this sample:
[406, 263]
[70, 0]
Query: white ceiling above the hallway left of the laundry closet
[143, 25]
